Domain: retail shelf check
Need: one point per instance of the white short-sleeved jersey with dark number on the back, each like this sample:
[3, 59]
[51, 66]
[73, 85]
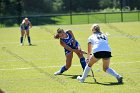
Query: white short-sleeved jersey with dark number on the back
[99, 42]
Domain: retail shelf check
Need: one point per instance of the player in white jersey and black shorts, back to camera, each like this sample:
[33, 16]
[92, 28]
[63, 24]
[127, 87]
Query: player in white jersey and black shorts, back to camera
[98, 45]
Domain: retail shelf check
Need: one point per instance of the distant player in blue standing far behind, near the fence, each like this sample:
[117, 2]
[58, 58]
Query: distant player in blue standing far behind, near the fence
[24, 27]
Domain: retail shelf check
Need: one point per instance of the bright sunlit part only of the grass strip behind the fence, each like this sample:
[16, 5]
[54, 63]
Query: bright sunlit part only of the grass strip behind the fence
[97, 18]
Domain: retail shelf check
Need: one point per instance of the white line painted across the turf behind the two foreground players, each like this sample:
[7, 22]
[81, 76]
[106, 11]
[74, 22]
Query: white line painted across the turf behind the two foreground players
[29, 68]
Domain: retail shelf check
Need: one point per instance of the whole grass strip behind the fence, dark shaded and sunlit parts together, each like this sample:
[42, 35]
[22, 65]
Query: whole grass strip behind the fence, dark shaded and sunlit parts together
[77, 18]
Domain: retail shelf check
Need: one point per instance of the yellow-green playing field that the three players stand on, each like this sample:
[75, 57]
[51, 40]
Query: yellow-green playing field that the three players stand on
[29, 69]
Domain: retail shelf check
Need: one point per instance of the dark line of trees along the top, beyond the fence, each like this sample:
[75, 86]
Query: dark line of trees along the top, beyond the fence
[26, 7]
